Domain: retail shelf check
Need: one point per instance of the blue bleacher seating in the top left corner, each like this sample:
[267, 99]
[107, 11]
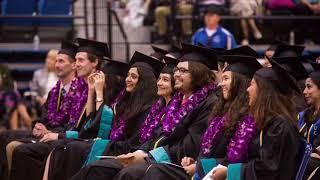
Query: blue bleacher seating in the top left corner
[20, 20]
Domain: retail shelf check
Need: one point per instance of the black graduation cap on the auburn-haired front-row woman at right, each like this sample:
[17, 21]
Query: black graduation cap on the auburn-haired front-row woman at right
[279, 77]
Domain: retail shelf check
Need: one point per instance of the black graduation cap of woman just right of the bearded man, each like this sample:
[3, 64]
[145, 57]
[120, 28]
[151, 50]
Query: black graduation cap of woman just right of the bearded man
[245, 65]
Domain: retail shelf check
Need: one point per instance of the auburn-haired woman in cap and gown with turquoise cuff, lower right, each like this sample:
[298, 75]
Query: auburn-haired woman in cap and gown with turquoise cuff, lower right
[274, 151]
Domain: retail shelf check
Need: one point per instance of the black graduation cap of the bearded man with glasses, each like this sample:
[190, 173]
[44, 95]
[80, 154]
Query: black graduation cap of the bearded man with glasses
[200, 54]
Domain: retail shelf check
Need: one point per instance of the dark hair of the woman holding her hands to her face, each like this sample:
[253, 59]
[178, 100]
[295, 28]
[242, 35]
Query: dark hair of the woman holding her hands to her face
[114, 84]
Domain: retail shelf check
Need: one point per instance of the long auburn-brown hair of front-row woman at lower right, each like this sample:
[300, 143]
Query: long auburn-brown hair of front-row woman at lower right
[271, 103]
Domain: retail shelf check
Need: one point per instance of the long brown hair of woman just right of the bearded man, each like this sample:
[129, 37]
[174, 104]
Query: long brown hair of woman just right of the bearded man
[236, 106]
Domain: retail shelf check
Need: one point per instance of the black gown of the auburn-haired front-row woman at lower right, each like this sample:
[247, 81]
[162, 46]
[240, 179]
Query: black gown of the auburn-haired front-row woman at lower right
[277, 157]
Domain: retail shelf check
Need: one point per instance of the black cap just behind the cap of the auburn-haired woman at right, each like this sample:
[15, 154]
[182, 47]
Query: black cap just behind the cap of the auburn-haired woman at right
[294, 66]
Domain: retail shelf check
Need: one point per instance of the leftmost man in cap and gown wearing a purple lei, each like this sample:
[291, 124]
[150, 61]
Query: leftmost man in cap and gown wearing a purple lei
[55, 116]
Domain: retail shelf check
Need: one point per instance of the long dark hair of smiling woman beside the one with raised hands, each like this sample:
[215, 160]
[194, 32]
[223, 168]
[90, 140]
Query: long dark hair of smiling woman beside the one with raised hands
[140, 99]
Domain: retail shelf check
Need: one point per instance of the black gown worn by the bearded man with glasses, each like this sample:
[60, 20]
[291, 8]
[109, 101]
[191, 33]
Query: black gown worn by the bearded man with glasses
[185, 140]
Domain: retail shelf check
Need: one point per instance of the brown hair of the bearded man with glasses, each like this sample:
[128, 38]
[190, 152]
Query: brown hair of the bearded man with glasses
[200, 74]
